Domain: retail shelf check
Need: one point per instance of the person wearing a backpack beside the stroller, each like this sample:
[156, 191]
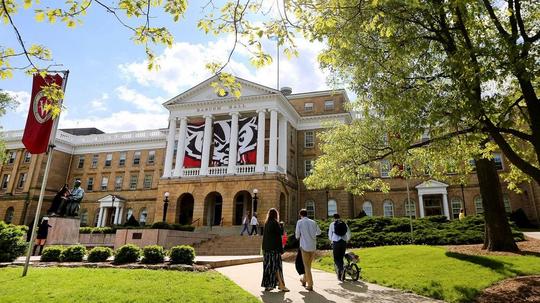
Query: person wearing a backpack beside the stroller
[339, 233]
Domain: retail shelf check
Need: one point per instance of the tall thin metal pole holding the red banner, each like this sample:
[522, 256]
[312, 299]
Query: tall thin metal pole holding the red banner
[50, 150]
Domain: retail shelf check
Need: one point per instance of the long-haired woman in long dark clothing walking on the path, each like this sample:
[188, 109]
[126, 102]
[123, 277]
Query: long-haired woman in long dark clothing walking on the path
[272, 250]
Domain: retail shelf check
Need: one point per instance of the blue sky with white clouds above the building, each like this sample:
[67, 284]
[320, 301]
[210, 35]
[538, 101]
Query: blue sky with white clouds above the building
[109, 86]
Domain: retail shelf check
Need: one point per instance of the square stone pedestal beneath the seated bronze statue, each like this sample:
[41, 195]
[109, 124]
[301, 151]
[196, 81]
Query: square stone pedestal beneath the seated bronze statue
[64, 231]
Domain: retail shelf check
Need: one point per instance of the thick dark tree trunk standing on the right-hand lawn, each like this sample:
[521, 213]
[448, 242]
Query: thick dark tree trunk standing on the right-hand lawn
[498, 235]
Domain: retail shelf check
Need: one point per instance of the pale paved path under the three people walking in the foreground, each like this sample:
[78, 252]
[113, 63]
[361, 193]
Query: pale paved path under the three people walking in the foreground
[327, 288]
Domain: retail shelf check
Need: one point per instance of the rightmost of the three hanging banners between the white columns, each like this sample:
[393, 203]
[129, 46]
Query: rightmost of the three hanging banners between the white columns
[247, 140]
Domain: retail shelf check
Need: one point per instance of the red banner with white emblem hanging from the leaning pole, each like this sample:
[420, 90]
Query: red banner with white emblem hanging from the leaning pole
[39, 123]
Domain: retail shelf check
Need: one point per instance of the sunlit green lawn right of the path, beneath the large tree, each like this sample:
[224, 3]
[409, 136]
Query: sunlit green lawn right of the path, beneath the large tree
[434, 272]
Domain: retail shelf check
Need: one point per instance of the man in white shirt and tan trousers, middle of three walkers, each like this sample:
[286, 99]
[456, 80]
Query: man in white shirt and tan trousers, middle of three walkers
[307, 231]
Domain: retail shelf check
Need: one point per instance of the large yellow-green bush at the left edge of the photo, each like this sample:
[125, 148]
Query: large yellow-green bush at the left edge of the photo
[12, 241]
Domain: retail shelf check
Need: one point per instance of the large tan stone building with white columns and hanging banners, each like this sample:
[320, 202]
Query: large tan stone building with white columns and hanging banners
[271, 134]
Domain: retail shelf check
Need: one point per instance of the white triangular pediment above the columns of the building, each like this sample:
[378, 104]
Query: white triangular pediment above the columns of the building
[205, 92]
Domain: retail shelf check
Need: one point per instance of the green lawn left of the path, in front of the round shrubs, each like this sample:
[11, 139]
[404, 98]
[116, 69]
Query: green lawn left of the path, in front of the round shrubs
[117, 285]
